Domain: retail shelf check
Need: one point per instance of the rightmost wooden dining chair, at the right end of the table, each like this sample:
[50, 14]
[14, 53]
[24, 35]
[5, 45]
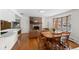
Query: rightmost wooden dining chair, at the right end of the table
[65, 39]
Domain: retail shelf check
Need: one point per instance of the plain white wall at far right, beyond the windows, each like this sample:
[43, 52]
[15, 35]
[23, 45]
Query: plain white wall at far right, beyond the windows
[75, 25]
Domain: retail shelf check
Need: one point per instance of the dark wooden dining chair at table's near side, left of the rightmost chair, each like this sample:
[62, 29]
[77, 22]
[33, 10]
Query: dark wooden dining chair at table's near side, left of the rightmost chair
[56, 41]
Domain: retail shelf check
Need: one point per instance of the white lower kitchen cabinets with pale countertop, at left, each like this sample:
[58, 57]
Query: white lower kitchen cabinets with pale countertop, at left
[7, 42]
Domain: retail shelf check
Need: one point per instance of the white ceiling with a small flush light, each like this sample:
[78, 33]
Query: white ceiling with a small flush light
[36, 12]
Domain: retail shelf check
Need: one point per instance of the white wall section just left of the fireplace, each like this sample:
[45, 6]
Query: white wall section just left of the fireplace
[24, 23]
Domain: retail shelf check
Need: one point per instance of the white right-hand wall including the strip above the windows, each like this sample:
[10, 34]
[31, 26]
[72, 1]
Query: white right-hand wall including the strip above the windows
[74, 23]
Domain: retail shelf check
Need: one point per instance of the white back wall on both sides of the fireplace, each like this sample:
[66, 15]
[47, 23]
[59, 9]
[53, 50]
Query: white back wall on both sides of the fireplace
[25, 26]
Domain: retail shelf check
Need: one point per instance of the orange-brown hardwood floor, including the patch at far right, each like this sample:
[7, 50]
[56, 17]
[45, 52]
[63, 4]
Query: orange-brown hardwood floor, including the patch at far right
[24, 43]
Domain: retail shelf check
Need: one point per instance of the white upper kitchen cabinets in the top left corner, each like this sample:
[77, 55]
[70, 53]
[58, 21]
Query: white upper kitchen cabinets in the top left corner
[7, 14]
